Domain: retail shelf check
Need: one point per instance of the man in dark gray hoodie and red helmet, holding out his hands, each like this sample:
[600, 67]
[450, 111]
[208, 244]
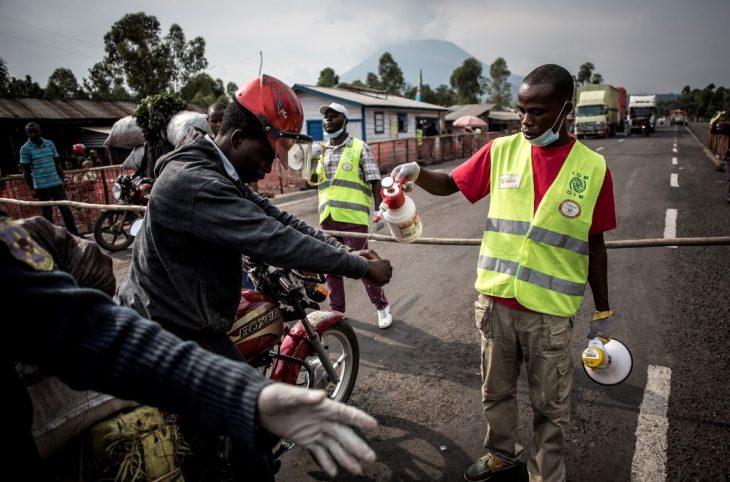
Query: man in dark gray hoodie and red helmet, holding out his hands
[202, 215]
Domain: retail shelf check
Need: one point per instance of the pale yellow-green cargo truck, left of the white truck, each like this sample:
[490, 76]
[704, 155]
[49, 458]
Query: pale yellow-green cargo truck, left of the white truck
[600, 110]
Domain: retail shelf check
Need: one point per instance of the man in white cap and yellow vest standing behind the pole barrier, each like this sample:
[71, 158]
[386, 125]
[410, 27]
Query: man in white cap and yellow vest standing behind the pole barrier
[348, 180]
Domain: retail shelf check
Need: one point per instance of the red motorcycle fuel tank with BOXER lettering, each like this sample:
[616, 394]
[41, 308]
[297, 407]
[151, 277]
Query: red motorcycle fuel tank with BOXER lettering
[259, 324]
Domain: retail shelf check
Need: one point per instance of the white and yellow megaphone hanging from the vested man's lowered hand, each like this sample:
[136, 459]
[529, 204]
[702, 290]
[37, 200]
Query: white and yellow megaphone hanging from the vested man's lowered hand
[607, 363]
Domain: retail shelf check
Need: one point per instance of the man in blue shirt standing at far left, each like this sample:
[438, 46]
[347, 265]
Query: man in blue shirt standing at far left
[43, 174]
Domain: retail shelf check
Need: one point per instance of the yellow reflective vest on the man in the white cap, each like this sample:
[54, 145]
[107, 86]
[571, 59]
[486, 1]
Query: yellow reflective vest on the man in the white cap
[345, 198]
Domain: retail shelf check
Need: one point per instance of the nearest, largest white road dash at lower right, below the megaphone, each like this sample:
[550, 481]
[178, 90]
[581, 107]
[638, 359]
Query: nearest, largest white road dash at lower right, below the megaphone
[650, 456]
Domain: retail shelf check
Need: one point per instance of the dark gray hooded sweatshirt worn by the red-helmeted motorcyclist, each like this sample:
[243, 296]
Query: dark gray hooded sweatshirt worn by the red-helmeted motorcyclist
[186, 266]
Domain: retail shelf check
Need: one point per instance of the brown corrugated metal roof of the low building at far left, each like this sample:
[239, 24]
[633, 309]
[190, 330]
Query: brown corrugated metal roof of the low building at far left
[63, 109]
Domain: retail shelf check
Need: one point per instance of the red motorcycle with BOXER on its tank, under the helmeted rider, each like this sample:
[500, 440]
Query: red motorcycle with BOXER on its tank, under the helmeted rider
[320, 351]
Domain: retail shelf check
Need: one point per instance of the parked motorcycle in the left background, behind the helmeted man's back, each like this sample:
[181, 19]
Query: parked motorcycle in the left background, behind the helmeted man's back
[111, 229]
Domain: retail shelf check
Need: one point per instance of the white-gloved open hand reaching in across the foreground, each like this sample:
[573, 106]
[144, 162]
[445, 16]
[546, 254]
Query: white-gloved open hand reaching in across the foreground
[323, 426]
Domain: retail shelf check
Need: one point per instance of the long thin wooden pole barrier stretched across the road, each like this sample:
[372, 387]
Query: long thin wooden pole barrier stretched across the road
[618, 244]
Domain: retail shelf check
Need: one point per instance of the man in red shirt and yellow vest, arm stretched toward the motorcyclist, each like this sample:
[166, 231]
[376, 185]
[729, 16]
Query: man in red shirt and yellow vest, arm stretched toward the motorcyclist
[551, 200]
